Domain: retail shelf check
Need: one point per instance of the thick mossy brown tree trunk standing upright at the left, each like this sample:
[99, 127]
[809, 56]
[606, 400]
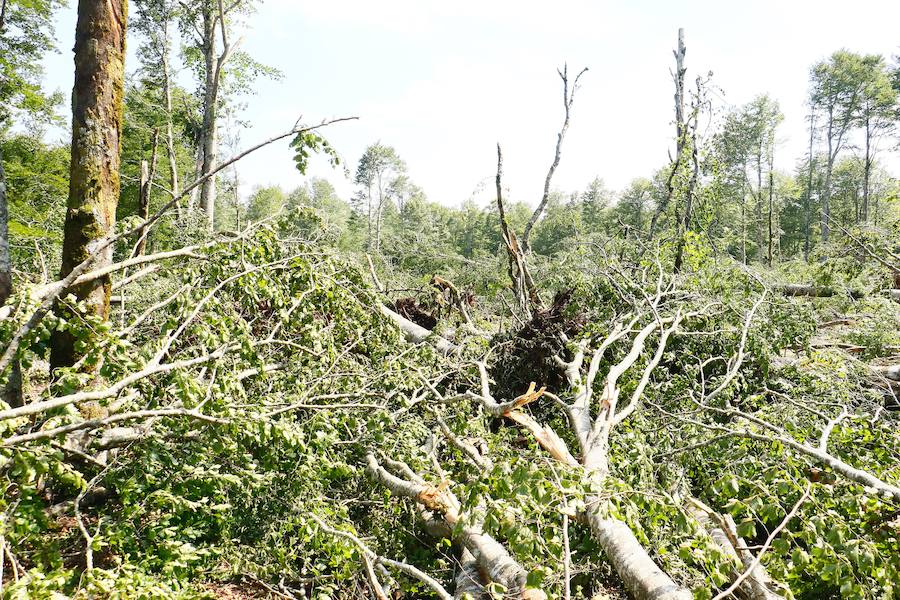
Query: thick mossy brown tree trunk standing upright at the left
[94, 172]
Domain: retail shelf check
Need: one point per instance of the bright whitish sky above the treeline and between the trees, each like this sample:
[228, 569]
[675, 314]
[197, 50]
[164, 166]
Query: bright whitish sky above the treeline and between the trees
[444, 82]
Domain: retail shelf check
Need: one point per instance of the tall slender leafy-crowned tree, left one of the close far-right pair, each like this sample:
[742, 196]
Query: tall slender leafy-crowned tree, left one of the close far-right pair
[837, 86]
